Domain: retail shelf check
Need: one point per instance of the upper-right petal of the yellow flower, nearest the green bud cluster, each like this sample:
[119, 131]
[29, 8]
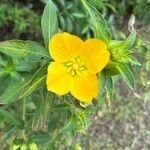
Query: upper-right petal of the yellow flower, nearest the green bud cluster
[95, 55]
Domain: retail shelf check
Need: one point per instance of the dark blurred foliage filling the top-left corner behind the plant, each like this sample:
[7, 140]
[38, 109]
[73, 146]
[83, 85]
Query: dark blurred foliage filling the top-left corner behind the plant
[17, 18]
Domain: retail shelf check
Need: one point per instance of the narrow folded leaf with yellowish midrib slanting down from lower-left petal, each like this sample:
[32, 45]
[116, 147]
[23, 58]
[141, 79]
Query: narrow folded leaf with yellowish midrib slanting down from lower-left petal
[36, 82]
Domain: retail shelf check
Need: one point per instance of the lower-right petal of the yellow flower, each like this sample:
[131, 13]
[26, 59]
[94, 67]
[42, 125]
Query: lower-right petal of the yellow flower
[84, 87]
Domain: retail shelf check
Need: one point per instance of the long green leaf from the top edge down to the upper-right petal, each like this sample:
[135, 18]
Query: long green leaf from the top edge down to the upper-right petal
[99, 25]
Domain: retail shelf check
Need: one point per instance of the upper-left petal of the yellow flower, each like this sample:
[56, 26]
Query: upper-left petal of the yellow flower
[64, 46]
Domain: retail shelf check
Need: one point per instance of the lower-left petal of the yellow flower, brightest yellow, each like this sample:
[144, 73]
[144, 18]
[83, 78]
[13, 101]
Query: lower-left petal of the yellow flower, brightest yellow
[58, 79]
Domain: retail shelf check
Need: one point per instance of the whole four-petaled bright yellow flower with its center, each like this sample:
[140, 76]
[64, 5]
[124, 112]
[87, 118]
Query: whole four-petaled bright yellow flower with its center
[75, 65]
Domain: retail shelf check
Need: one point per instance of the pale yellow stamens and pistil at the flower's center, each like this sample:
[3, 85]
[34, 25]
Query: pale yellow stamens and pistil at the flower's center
[75, 66]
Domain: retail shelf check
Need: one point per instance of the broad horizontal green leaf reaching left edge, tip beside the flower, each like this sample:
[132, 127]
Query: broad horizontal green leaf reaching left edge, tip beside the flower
[23, 49]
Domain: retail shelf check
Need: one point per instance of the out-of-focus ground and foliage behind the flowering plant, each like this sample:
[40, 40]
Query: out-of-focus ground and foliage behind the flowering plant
[124, 123]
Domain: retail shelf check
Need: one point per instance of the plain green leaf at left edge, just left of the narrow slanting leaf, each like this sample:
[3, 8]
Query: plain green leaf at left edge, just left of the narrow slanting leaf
[13, 91]
